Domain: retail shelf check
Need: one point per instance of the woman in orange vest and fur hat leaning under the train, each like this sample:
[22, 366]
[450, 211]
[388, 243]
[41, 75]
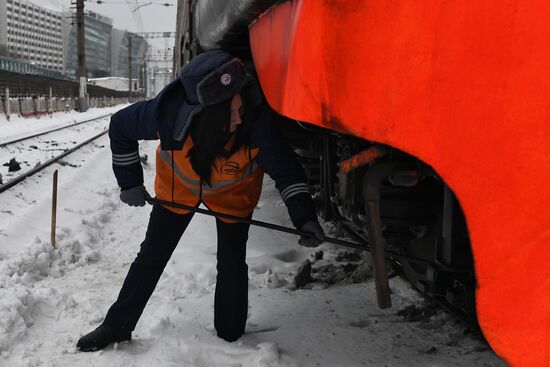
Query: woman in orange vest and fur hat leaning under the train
[216, 141]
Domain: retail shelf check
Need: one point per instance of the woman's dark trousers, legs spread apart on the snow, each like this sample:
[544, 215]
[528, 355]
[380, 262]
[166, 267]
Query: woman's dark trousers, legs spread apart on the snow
[163, 234]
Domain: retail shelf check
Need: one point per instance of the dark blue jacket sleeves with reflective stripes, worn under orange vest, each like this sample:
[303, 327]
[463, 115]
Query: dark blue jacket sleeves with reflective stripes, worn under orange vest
[157, 119]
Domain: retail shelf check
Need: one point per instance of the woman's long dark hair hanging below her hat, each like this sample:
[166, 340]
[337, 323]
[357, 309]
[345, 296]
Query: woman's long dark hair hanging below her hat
[210, 133]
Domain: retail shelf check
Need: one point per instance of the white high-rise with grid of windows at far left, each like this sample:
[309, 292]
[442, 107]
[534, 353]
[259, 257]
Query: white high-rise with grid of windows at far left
[31, 33]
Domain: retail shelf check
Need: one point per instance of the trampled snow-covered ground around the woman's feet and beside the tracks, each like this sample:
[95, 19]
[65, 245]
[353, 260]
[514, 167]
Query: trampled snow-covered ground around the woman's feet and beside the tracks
[49, 298]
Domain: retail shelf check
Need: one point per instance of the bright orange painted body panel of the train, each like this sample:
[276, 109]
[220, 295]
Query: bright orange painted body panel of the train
[464, 87]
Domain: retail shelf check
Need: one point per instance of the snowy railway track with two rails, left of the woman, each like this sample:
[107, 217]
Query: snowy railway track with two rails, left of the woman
[56, 158]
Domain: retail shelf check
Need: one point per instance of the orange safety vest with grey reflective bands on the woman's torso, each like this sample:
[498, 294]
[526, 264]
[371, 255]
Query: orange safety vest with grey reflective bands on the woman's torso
[236, 182]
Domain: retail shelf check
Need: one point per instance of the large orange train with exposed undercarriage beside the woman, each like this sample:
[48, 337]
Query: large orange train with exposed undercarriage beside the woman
[425, 129]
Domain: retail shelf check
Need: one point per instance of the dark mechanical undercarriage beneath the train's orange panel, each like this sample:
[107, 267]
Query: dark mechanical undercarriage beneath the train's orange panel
[420, 220]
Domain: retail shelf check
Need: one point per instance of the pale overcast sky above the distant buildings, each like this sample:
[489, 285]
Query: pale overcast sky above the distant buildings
[153, 18]
